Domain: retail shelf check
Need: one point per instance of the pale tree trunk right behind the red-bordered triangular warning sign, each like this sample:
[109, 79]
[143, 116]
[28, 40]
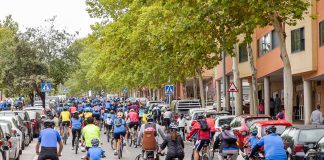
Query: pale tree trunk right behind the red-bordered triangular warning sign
[237, 82]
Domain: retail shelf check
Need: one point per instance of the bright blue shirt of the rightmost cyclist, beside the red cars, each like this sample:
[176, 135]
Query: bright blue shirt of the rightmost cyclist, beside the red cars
[273, 147]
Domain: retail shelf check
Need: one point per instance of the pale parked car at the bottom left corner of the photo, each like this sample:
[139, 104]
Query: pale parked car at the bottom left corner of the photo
[13, 138]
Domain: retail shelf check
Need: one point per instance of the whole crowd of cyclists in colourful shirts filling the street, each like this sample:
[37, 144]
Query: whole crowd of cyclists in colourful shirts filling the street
[134, 123]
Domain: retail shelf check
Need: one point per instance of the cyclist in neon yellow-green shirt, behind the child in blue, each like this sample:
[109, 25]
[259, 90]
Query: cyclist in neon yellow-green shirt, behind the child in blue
[89, 132]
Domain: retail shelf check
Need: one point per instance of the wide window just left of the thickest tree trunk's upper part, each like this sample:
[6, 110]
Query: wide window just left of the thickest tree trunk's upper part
[268, 42]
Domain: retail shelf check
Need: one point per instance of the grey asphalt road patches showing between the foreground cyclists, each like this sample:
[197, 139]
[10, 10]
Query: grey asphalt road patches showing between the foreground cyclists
[129, 153]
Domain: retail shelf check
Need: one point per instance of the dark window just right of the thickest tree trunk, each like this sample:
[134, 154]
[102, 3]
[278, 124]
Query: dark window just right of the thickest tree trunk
[297, 40]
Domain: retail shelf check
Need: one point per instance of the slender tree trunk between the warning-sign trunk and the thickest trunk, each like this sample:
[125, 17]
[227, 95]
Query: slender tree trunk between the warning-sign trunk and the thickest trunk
[254, 98]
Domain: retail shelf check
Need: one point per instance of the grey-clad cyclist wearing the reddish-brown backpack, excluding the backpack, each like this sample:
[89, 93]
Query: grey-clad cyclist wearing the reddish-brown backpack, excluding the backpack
[150, 125]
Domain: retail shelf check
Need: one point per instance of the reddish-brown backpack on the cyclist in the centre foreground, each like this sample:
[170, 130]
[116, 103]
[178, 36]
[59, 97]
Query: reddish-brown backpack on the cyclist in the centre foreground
[149, 142]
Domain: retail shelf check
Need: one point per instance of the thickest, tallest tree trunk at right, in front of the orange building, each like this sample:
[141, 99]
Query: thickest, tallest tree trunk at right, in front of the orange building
[288, 79]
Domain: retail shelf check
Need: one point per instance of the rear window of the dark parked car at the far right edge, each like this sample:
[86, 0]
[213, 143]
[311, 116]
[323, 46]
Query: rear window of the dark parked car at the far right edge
[311, 135]
